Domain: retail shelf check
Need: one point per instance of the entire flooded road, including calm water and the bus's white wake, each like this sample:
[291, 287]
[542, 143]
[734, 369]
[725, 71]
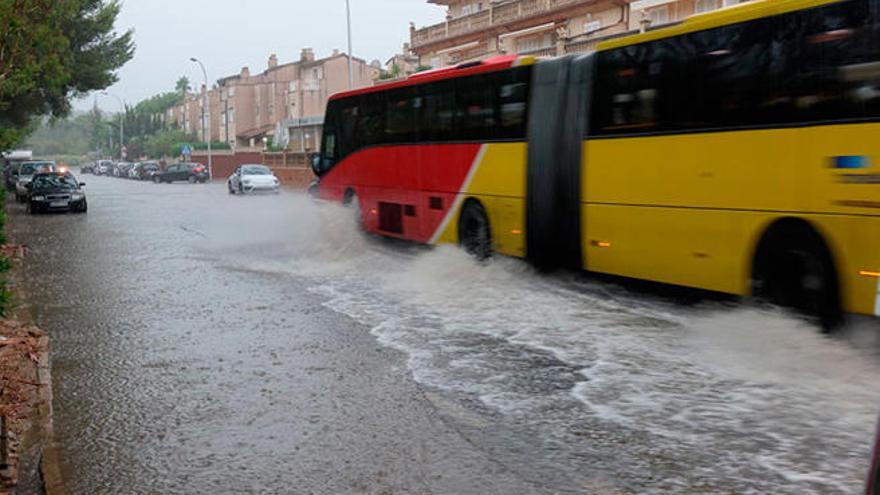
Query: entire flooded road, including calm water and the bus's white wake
[207, 343]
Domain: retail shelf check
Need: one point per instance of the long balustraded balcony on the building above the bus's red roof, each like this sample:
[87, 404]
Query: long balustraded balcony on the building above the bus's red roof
[497, 15]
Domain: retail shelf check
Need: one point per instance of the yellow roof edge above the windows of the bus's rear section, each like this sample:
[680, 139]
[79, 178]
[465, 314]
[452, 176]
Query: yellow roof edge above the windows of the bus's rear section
[728, 15]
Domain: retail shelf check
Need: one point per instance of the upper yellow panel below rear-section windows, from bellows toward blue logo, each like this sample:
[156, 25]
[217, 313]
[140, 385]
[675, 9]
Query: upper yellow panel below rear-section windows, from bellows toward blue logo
[748, 170]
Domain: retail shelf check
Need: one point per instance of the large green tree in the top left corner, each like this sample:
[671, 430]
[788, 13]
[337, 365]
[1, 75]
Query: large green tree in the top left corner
[51, 52]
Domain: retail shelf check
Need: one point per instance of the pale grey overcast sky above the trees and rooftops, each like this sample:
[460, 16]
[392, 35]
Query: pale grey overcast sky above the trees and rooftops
[230, 34]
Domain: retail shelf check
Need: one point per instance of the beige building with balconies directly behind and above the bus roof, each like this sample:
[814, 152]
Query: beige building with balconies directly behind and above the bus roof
[475, 29]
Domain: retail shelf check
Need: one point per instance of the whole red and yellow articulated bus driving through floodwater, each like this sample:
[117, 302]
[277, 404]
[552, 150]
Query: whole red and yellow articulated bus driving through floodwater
[737, 151]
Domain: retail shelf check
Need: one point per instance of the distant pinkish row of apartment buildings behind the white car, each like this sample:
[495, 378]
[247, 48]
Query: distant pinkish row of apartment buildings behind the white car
[285, 101]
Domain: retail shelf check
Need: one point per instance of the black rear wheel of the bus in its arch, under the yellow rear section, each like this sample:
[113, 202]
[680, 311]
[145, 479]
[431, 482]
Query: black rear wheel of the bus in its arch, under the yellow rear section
[794, 268]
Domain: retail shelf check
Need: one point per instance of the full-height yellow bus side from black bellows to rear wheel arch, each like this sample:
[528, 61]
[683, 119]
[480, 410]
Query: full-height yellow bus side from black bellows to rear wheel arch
[672, 208]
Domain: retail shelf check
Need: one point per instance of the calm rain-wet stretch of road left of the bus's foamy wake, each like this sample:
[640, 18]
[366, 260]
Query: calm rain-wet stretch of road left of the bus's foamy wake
[177, 374]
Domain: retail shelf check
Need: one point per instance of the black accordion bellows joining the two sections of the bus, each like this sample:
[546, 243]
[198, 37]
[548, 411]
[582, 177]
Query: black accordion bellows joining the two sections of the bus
[557, 122]
